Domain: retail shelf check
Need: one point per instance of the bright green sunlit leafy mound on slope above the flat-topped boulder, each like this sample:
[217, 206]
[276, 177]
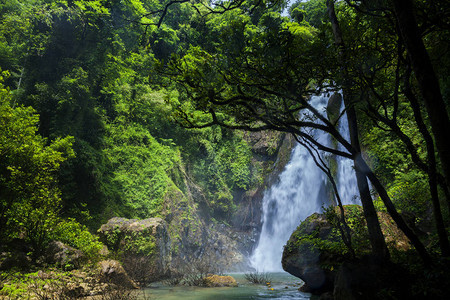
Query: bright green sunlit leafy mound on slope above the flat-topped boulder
[142, 166]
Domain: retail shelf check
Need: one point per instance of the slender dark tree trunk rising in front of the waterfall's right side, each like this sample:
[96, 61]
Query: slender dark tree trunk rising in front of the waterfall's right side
[379, 248]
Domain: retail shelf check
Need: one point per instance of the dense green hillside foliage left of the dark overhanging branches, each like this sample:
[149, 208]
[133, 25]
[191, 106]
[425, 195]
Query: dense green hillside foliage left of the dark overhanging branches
[83, 88]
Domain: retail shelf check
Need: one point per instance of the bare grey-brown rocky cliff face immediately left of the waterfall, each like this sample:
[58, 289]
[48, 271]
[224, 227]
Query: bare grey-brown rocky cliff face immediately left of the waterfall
[228, 244]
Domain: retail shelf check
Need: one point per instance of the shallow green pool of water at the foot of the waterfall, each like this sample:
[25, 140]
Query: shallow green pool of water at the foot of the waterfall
[284, 286]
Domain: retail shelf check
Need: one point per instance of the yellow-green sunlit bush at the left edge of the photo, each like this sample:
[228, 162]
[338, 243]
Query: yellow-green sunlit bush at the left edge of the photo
[29, 196]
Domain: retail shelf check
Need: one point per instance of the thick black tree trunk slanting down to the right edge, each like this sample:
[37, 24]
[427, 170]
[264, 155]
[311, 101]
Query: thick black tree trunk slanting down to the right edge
[427, 80]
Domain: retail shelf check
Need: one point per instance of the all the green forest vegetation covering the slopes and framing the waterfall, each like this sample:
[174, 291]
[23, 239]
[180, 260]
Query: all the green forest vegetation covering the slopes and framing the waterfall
[93, 94]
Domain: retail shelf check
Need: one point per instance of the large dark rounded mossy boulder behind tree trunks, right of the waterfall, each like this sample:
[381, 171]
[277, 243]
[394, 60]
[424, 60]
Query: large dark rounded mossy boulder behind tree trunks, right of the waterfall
[316, 254]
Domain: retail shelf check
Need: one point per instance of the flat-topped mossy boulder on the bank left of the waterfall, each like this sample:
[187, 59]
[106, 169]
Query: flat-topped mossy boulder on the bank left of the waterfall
[143, 244]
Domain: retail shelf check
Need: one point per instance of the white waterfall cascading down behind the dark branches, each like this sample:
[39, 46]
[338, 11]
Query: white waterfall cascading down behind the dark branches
[299, 193]
